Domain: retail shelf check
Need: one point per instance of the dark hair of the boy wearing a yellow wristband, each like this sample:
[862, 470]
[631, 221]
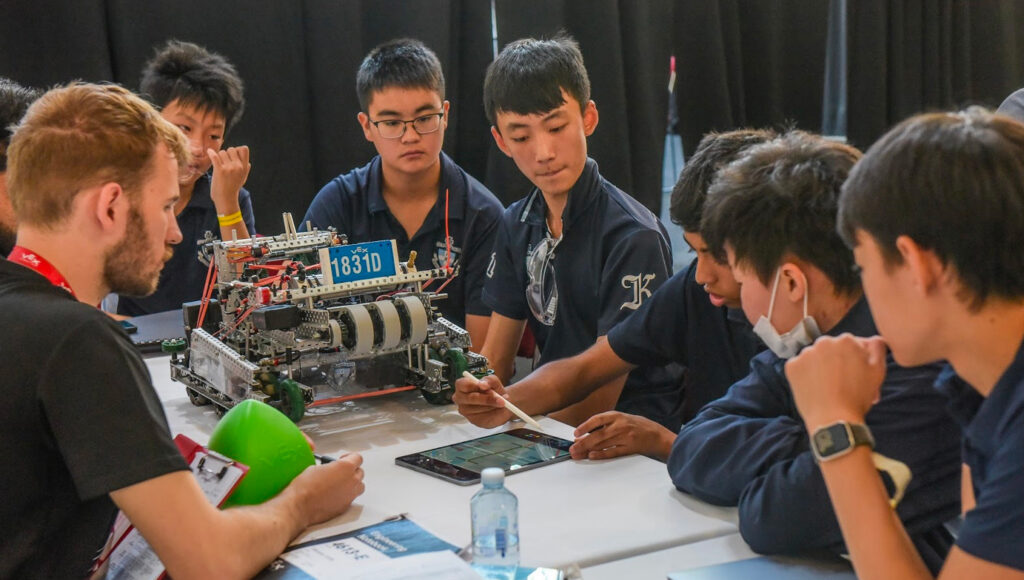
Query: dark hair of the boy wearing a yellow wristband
[194, 76]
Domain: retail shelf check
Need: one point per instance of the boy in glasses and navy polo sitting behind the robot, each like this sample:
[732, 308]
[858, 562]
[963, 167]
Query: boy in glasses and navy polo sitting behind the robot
[412, 192]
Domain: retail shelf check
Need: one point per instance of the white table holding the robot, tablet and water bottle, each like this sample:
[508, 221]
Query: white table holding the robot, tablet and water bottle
[584, 513]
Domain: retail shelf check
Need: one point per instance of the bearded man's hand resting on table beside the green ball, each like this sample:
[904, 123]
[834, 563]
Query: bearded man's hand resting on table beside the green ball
[329, 489]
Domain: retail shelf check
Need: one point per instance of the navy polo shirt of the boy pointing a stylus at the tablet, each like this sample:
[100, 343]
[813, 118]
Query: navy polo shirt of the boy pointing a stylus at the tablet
[680, 325]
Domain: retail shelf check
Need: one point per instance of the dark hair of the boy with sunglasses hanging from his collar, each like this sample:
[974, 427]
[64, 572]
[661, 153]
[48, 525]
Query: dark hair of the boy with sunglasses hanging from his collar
[529, 77]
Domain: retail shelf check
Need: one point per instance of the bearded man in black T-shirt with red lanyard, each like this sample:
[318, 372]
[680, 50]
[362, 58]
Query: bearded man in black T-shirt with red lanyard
[94, 181]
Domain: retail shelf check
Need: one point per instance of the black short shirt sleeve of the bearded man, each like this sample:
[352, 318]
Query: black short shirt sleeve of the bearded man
[104, 415]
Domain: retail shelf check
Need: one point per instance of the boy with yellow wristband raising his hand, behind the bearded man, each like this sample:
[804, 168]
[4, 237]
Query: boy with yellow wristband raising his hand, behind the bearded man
[201, 94]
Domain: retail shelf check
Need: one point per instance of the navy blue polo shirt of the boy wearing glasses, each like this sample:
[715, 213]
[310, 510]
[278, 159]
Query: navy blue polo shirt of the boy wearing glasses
[353, 203]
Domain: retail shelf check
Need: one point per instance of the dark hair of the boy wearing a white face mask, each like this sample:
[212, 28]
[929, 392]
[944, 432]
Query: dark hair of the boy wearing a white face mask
[782, 198]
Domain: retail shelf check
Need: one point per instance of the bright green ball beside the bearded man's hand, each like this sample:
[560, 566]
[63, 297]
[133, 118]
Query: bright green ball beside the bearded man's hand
[267, 441]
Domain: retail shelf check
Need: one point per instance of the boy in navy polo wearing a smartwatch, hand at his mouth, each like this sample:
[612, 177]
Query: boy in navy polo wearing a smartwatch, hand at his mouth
[935, 216]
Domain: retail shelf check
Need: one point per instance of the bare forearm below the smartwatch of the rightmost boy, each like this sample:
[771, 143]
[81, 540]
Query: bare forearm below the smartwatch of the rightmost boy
[878, 544]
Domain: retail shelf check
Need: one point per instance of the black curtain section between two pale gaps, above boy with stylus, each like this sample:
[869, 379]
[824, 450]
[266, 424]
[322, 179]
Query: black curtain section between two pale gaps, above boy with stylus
[749, 64]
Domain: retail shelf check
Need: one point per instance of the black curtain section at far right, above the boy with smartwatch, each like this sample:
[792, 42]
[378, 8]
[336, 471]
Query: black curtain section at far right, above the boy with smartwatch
[912, 56]
